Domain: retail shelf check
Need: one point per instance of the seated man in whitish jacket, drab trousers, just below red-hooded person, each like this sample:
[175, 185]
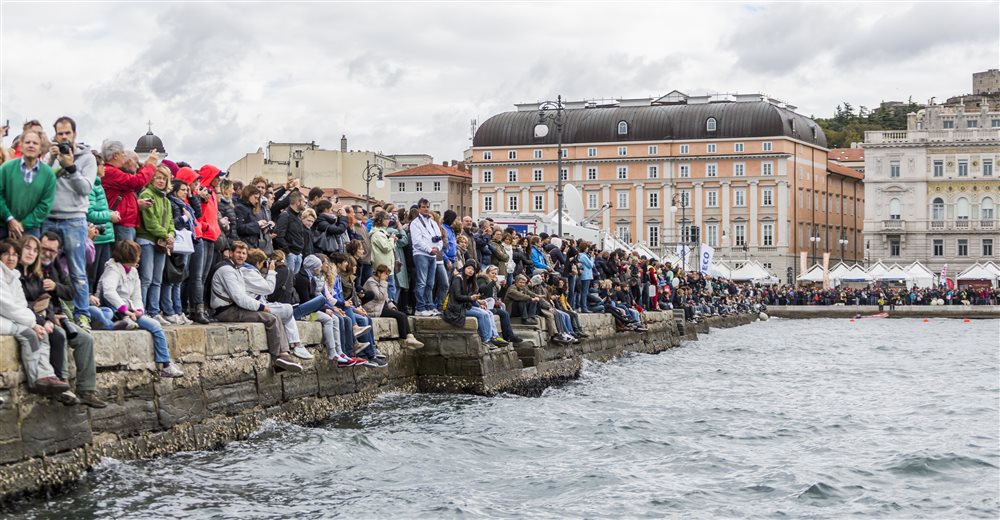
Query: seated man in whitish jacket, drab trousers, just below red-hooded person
[231, 303]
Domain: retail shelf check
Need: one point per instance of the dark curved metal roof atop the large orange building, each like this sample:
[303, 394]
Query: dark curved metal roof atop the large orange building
[653, 123]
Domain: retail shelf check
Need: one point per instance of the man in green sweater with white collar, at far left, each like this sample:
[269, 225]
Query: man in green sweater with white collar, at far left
[27, 189]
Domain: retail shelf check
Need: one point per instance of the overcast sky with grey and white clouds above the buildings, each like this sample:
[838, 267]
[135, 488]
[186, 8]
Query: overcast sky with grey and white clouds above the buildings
[219, 80]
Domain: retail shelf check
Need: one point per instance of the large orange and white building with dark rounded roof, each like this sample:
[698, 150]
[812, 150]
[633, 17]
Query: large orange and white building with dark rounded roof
[749, 174]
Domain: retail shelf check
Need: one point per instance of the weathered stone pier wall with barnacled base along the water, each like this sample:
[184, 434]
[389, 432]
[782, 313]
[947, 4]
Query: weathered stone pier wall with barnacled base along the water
[229, 389]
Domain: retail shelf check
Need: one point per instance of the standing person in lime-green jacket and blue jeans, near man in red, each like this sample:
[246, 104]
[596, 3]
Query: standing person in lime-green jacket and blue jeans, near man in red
[156, 237]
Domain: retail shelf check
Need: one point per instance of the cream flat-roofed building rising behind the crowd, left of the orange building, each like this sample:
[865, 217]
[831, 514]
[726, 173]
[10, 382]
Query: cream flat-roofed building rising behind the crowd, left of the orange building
[315, 166]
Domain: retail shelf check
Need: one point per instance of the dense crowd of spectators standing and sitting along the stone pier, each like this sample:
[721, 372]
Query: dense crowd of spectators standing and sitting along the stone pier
[104, 239]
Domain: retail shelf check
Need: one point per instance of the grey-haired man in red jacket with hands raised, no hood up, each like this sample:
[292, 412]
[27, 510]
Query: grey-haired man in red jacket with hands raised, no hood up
[121, 186]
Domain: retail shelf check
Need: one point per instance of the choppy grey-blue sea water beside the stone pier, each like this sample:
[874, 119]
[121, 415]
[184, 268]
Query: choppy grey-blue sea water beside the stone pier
[801, 419]
